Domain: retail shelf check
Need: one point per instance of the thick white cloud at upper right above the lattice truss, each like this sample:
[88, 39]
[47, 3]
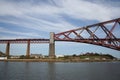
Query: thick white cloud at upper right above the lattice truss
[81, 9]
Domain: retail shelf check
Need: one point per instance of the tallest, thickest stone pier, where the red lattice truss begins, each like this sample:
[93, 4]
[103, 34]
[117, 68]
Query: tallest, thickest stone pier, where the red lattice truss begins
[52, 46]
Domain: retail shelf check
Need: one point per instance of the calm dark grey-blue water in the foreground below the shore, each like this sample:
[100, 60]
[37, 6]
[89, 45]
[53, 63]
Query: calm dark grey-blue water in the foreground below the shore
[59, 71]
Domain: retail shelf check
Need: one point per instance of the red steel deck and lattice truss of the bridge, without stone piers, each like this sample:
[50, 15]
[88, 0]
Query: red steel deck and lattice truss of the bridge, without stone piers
[83, 35]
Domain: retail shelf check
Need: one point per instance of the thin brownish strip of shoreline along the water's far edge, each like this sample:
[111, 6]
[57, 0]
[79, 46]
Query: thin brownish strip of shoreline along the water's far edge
[55, 60]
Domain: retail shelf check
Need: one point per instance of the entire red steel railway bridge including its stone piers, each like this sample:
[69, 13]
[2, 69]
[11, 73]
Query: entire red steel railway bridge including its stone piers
[102, 34]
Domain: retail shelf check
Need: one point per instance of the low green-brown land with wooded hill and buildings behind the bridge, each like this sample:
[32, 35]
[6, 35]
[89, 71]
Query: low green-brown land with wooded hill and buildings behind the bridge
[67, 58]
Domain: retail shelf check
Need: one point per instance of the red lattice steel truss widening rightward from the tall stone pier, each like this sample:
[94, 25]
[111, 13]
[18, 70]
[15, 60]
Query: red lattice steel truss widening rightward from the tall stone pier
[103, 34]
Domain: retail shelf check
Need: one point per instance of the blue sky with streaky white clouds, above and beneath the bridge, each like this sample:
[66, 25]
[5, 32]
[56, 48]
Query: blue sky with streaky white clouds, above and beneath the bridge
[37, 18]
